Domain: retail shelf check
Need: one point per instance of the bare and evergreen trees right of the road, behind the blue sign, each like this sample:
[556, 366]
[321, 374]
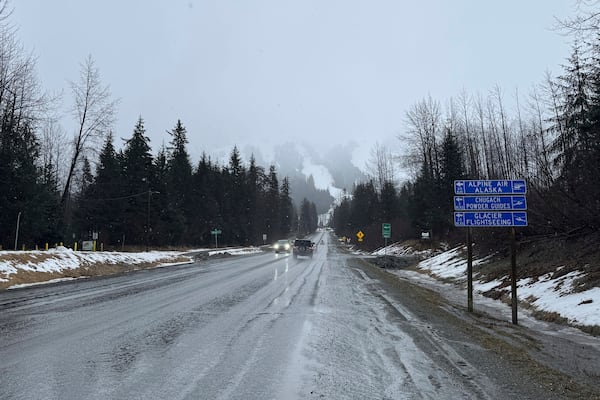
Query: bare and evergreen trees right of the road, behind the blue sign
[550, 137]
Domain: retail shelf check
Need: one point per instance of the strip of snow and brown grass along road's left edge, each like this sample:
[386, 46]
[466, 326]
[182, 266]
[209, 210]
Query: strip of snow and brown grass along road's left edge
[62, 259]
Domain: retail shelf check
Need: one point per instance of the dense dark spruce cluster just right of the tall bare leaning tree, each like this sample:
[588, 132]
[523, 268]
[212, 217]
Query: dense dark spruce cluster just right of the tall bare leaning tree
[137, 198]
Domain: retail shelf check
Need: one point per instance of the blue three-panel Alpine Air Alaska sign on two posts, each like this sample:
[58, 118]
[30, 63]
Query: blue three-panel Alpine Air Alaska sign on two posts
[491, 203]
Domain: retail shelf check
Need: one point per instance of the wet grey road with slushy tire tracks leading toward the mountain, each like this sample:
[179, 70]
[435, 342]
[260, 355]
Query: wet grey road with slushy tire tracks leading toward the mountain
[257, 327]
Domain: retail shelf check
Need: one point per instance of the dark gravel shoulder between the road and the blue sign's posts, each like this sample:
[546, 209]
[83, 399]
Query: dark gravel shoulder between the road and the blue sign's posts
[523, 356]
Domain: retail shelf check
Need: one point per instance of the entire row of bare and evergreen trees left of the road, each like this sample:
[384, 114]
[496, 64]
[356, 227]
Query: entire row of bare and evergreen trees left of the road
[55, 188]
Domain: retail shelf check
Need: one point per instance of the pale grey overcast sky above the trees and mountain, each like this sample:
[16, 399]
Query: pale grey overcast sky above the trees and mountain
[269, 71]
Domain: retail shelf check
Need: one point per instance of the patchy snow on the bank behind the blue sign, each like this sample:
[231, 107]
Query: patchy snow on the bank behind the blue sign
[544, 294]
